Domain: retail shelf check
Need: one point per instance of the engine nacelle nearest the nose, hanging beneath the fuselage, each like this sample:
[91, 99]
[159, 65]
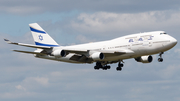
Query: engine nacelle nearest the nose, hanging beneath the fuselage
[144, 59]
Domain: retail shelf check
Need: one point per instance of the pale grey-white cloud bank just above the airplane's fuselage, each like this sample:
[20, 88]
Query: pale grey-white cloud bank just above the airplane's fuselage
[107, 24]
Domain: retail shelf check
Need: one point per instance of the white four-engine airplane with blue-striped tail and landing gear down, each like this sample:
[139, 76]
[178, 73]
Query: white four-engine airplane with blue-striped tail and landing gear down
[140, 46]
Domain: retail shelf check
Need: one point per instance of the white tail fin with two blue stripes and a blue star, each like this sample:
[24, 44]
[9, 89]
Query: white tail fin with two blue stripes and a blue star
[41, 37]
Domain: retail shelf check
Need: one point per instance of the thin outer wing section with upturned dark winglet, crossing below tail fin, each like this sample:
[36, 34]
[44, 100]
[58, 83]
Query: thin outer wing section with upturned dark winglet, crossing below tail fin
[27, 45]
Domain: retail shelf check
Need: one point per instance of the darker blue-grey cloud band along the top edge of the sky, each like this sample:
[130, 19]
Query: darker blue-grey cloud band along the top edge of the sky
[27, 7]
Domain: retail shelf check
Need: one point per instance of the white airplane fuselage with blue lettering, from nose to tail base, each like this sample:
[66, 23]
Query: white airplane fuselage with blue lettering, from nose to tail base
[140, 44]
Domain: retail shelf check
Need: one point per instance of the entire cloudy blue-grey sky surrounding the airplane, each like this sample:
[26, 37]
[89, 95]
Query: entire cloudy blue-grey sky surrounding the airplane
[25, 78]
